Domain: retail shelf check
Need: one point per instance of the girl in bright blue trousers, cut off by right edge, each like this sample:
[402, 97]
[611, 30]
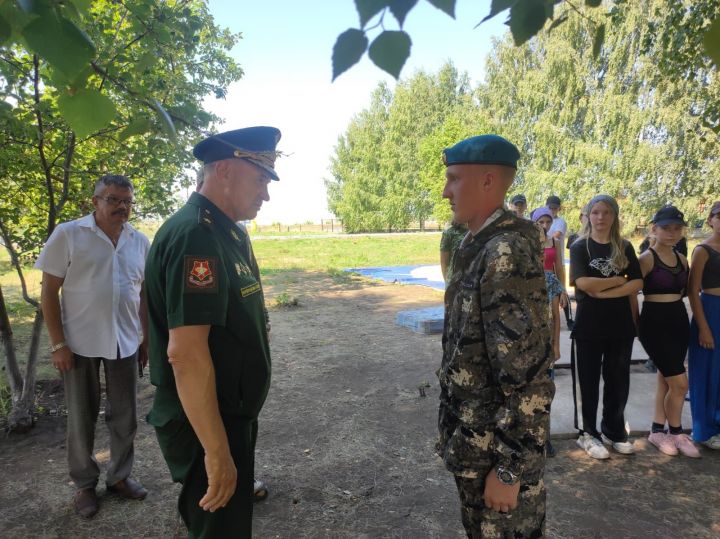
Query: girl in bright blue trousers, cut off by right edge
[704, 355]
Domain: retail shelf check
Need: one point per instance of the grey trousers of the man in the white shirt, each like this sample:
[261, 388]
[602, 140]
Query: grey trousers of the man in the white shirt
[82, 397]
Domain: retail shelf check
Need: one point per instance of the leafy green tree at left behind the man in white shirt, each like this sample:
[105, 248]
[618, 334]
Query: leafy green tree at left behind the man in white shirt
[88, 88]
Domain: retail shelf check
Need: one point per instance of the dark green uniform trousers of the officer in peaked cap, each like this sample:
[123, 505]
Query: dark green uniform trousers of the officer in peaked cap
[186, 459]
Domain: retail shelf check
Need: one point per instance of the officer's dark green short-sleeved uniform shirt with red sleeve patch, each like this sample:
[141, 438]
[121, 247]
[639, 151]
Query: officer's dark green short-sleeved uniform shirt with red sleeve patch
[199, 272]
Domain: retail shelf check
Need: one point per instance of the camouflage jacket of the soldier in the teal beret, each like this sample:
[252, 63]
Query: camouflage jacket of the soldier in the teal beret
[495, 387]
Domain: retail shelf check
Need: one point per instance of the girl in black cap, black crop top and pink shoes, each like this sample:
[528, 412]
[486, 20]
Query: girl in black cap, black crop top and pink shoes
[664, 329]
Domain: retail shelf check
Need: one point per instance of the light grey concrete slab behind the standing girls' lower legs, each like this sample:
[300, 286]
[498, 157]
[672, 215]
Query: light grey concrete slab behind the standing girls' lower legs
[638, 412]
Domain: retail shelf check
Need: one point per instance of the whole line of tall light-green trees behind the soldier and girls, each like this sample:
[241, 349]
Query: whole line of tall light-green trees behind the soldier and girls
[636, 119]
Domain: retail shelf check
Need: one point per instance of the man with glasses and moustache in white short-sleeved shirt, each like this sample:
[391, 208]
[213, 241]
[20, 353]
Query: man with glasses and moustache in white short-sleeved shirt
[99, 263]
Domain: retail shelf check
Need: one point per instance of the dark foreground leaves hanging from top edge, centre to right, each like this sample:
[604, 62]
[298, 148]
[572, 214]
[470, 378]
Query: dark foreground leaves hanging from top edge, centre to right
[690, 23]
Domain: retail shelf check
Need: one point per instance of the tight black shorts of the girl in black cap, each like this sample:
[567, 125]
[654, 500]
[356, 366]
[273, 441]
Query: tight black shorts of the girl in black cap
[665, 333]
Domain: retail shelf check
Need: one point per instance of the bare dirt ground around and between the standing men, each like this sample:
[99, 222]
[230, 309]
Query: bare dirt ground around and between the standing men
[346, 445]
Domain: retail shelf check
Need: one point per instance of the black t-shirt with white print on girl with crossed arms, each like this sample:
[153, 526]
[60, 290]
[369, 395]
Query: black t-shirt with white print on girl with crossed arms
[601, 318]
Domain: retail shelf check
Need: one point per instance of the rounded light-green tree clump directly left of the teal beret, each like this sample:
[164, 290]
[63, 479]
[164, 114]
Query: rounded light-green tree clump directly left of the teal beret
[377, 179]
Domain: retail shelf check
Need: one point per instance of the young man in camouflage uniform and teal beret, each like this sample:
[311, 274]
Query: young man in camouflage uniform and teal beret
[495, 388]
